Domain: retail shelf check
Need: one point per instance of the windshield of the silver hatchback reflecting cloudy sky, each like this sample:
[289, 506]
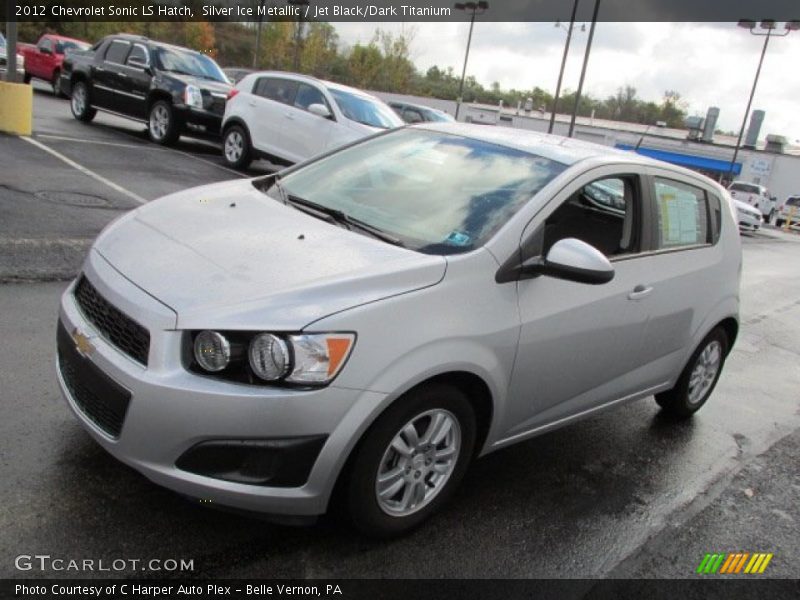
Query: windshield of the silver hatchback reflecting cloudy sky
[436, 193]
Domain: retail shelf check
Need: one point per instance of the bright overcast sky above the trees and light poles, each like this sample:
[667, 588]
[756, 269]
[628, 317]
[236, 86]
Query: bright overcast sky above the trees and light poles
[708, 64]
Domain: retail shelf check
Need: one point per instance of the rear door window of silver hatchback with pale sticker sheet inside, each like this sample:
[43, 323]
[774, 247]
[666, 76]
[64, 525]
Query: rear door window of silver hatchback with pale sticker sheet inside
[682, 212]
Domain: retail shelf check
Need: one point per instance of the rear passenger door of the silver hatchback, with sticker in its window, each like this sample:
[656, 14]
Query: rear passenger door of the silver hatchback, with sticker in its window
[682, 262]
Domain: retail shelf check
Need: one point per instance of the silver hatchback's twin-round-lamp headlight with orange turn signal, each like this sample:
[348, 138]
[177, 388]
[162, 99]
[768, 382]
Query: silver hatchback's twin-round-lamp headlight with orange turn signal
[263, 357]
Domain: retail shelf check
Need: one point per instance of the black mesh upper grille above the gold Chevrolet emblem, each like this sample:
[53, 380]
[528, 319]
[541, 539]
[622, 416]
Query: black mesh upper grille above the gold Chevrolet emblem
[117, 327]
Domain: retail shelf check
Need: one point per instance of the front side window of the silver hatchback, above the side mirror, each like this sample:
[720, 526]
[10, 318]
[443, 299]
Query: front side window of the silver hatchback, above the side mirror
[604, 214]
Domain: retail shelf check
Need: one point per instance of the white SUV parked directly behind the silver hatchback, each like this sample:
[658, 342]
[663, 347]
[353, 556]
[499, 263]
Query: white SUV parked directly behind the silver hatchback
[287, 118]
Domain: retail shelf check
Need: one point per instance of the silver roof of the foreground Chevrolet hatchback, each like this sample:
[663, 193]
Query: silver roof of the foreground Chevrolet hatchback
[554, 147]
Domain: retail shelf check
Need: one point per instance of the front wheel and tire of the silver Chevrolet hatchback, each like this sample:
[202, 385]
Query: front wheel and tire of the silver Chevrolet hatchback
[411, 461]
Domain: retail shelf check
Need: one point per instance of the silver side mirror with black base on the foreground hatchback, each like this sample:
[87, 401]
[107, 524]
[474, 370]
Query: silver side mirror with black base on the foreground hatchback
[573, 260]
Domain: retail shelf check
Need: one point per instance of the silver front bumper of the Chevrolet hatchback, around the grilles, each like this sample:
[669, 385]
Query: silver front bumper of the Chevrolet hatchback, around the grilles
[172, 411]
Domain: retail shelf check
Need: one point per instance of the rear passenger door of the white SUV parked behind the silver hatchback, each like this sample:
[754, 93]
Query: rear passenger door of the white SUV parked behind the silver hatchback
[271, 98]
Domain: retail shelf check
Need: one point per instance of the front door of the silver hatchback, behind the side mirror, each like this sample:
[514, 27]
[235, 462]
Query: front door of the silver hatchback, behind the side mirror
[579, 344]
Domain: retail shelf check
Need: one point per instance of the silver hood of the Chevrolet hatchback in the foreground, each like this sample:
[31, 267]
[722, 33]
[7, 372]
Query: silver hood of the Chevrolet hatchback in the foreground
[229, 257]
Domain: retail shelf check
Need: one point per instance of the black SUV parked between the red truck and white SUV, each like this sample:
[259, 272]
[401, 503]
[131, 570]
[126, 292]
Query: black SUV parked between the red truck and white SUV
[173, 89]
